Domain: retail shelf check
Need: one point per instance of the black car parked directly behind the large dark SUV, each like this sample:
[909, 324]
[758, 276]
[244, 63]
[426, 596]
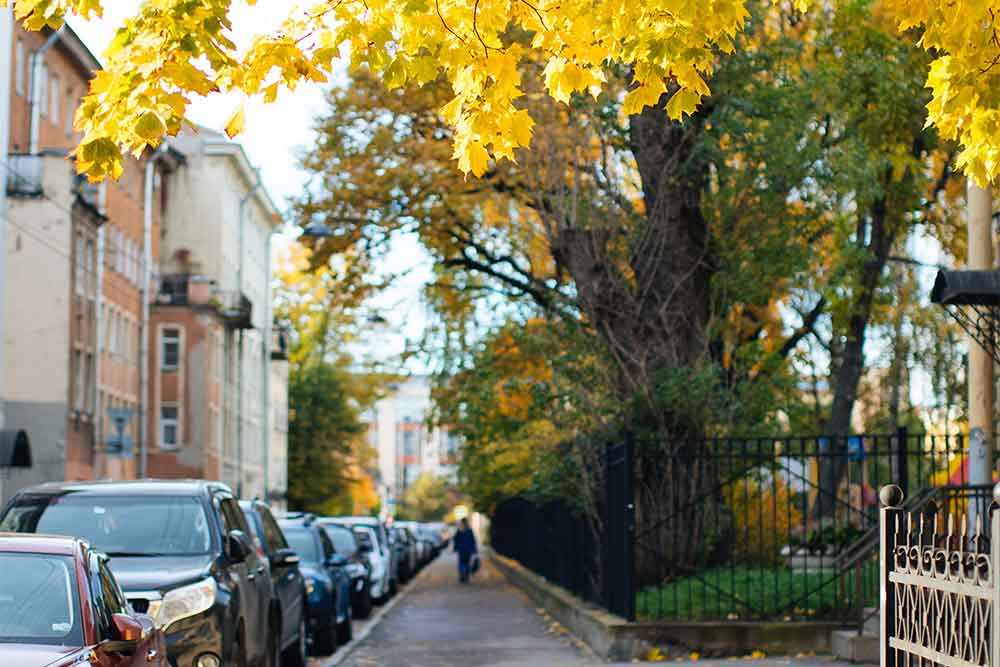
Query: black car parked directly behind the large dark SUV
[286, 579]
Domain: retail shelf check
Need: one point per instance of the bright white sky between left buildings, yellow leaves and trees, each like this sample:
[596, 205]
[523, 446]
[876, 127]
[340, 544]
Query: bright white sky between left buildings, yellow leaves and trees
[273, 135]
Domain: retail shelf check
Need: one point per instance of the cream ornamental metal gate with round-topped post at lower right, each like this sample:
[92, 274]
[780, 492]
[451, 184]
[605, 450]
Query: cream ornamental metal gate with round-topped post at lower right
[939, 588]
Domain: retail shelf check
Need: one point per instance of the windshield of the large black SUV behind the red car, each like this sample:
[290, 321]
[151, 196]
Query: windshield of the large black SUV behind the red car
[118, 525]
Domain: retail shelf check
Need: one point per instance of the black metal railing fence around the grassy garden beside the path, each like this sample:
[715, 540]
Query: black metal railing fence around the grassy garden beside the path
[751, 528]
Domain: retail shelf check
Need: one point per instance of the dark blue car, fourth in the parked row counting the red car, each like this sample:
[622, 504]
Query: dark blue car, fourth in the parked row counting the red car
[328, 585]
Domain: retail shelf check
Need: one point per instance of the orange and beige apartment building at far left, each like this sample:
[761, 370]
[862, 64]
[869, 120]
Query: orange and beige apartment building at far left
[75, 265]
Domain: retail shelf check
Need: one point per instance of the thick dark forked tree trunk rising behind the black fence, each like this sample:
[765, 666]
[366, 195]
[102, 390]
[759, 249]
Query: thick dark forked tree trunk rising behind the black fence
[656, 323]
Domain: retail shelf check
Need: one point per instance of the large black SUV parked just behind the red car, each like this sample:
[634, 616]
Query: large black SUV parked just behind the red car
[181, 551]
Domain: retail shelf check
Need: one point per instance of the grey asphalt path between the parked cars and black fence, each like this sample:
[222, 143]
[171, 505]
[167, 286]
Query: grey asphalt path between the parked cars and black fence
[487, 623]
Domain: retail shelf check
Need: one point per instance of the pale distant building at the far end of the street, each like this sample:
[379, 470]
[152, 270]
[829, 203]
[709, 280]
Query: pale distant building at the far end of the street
[407, 448]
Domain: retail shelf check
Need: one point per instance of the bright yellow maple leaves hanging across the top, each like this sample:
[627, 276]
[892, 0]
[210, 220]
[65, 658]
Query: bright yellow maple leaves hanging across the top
[174, 49]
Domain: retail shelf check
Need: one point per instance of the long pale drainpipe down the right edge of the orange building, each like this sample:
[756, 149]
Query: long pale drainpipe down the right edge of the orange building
[147, 271]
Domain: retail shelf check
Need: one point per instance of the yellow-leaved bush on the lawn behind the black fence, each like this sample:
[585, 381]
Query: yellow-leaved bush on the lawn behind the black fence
[760, 511]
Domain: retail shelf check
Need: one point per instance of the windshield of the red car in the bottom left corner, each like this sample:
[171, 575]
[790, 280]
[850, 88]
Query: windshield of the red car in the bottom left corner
[38, 600]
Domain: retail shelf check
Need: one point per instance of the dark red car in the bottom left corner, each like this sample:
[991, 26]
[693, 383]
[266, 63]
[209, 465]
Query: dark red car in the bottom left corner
[60, 606]
